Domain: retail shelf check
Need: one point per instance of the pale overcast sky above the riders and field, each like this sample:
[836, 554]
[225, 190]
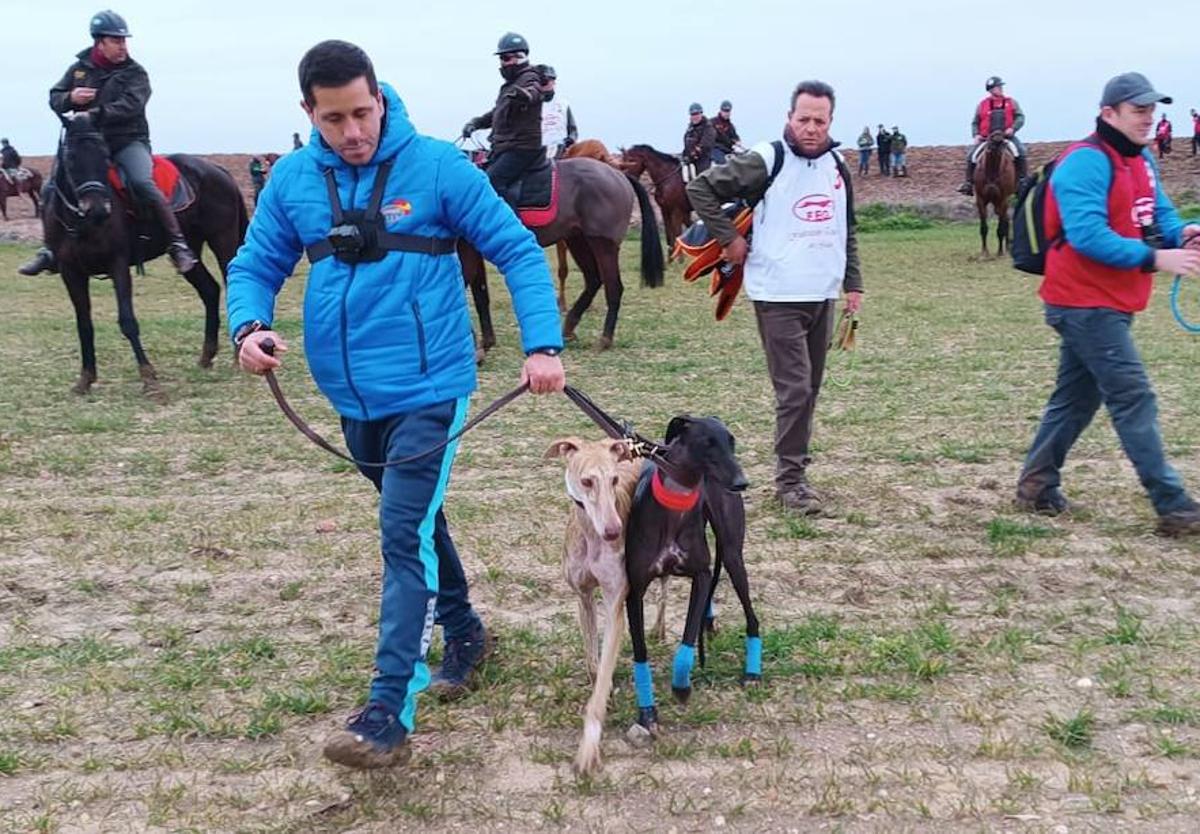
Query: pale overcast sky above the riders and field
[224, 73]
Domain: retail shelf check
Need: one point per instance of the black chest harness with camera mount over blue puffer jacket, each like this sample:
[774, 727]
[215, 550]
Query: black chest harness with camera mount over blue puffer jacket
[361, 236]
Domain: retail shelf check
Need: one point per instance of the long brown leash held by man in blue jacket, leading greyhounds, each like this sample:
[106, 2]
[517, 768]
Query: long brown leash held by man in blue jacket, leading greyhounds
[639, 446]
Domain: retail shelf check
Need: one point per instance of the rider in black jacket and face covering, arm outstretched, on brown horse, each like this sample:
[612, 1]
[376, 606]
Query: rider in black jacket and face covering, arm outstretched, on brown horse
[515, 119]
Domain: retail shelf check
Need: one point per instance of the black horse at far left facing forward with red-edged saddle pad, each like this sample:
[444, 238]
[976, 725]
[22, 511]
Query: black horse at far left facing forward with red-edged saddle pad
[93, 232]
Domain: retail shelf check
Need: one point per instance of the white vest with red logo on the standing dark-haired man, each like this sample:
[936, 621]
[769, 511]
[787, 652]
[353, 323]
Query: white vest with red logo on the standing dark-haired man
[799, 253]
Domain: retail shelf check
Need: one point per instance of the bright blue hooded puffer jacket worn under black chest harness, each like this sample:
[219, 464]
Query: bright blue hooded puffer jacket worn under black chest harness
[391, 337]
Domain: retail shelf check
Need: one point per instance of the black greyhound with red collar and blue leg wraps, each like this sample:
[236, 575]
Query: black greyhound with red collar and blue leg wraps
[700, 484]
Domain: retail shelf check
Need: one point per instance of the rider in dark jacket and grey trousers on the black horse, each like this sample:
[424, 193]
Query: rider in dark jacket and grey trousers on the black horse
[112, 89]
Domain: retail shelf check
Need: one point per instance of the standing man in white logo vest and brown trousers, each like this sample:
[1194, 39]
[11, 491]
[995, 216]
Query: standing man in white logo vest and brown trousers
[805, 255]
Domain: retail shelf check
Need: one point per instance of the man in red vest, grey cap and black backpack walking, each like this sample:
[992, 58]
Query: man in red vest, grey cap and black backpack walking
[1117, 229]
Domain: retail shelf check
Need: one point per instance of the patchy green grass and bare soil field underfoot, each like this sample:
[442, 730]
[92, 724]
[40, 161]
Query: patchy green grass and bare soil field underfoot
[189, 592]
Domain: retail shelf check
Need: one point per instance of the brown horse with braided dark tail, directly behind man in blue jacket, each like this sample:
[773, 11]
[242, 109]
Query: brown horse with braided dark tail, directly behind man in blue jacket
[596, 207]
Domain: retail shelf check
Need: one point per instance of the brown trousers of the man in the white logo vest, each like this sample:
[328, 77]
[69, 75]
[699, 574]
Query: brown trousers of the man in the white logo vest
[796, 339]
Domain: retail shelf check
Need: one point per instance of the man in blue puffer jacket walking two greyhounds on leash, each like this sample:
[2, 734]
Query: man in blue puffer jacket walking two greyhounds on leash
[388, 339]
